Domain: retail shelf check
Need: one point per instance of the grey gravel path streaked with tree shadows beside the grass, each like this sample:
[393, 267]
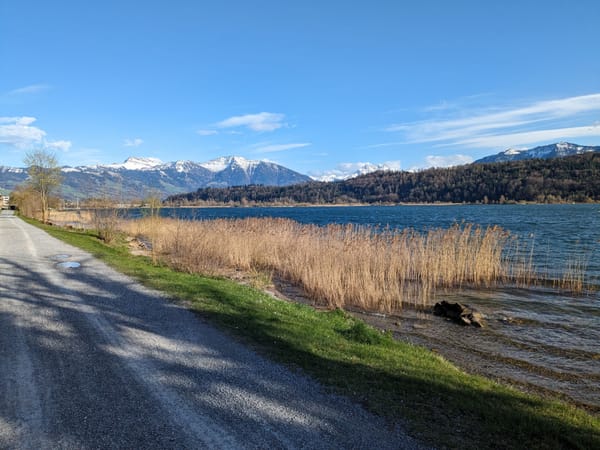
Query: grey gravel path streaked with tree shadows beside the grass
[91, 359]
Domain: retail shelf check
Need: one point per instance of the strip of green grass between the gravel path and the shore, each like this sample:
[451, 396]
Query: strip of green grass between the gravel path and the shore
[436, 401]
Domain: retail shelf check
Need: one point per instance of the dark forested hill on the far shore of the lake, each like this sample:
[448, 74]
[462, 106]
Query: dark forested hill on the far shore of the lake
[569, 179]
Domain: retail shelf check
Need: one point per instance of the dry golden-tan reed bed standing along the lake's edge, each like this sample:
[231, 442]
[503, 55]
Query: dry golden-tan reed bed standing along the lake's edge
[343, 266]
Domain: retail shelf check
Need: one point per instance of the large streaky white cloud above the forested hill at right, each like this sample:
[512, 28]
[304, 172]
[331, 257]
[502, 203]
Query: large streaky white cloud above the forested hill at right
[509, 126]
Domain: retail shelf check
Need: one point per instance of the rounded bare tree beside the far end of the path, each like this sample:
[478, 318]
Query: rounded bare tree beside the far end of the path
[44, 176]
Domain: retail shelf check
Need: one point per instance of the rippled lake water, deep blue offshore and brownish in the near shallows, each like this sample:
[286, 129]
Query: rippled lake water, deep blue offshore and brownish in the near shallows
[538, 339]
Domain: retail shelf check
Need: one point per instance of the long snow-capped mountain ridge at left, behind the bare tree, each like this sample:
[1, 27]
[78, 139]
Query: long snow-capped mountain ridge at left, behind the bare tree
[136, 178]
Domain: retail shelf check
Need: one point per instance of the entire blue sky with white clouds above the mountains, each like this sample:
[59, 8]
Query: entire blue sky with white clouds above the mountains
[316, 86]
